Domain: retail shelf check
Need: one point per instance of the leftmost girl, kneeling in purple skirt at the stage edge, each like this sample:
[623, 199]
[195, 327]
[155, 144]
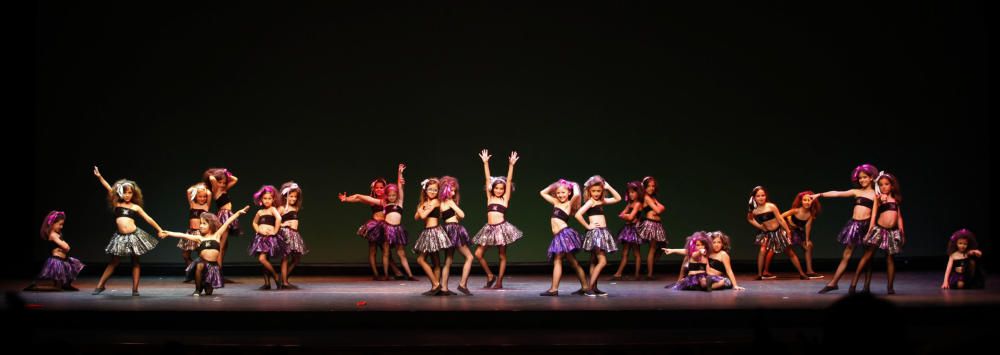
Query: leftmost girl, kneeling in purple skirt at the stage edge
[59, 268]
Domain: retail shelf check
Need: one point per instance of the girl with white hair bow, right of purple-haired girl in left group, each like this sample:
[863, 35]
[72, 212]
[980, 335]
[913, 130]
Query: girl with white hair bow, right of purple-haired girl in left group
[291, 194]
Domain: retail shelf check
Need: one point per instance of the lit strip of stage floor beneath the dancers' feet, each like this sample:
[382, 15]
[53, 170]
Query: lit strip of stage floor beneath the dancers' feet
[520, 293]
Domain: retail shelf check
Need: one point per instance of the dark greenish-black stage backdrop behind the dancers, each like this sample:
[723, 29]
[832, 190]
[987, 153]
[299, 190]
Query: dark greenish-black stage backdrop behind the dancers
[710, 100]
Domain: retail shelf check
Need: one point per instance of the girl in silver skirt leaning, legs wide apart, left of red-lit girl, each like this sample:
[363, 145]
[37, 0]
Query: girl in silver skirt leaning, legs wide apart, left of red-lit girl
[774, 236]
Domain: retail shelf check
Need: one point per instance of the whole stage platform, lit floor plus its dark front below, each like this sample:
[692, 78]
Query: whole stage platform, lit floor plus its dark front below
[327, 315]
